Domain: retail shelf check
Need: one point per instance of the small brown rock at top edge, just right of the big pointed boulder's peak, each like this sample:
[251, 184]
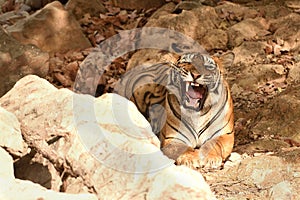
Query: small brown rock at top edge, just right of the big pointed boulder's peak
[81, 7]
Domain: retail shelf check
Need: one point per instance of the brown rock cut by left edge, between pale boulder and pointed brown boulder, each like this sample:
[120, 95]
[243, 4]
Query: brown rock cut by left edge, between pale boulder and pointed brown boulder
[17, 60]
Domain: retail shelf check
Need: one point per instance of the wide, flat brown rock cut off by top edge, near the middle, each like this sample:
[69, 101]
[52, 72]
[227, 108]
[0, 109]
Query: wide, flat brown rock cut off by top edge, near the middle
[137, 4]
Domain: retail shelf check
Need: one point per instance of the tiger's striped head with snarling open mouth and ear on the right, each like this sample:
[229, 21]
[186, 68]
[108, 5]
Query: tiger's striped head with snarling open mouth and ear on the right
[200, 77]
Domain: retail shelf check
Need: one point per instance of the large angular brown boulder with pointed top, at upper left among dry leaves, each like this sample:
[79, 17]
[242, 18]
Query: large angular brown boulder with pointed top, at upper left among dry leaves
[52, 29]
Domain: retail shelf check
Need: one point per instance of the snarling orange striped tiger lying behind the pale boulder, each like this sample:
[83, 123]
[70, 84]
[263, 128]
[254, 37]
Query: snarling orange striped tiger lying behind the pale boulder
[189, 106]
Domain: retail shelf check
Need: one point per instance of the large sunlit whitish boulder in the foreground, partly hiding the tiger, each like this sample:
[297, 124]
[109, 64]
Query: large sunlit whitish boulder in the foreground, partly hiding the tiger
[104, 144]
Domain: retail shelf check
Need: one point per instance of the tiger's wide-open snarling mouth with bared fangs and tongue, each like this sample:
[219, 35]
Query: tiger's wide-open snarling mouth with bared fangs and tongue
[194, 95]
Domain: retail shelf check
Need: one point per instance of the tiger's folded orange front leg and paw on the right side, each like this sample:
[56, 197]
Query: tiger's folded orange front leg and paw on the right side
[210, 155]
